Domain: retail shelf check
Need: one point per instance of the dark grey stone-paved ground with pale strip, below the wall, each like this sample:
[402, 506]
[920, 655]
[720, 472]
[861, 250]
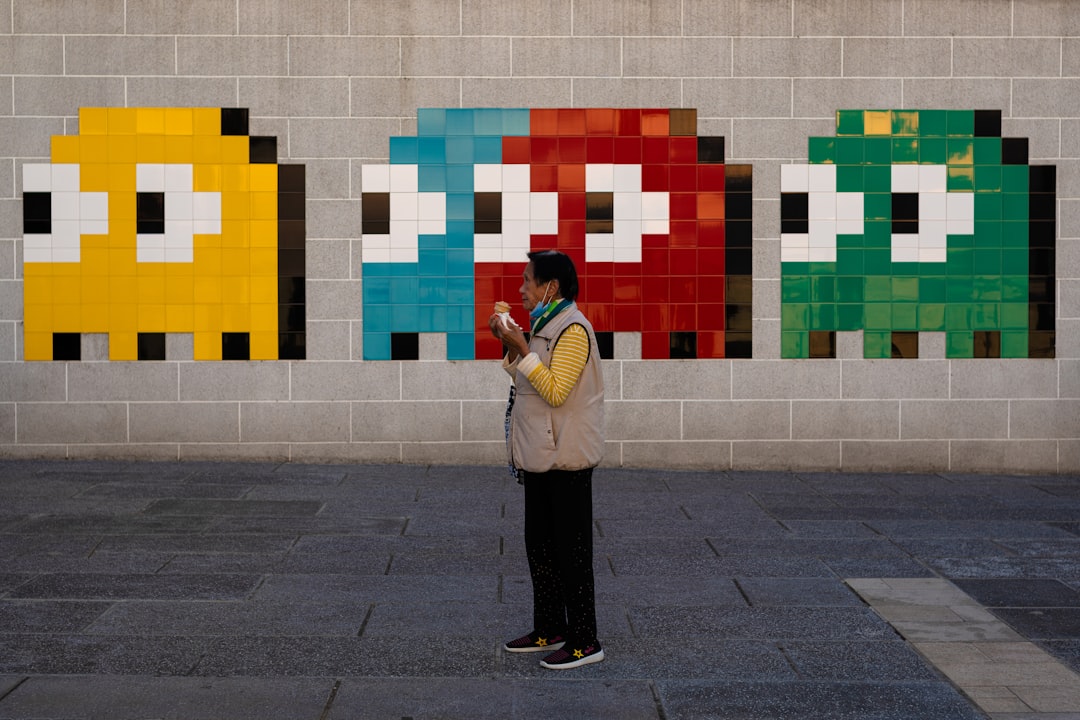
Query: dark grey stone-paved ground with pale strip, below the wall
[225, 592]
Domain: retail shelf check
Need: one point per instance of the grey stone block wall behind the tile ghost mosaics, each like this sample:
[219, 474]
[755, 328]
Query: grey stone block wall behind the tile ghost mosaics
[334, 79]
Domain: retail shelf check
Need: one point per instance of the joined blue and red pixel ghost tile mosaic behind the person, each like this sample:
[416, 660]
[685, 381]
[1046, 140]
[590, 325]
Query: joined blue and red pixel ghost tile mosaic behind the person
[658, 225]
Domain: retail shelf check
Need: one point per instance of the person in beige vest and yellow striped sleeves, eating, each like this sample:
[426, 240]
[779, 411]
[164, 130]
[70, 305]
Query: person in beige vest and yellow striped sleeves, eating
[555, 441]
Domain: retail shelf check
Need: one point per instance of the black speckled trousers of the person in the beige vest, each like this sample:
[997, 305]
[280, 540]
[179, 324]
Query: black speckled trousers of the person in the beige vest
[559, 542]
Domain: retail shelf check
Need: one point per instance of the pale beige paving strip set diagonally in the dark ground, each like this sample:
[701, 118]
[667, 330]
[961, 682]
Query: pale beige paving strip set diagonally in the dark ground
[1008, 677]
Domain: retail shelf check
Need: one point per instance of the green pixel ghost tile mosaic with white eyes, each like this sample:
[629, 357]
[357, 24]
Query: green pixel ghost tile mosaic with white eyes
[915, 222]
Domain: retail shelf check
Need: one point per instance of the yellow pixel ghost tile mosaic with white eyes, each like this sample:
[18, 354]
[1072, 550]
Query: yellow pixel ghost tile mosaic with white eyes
[165, 221]
